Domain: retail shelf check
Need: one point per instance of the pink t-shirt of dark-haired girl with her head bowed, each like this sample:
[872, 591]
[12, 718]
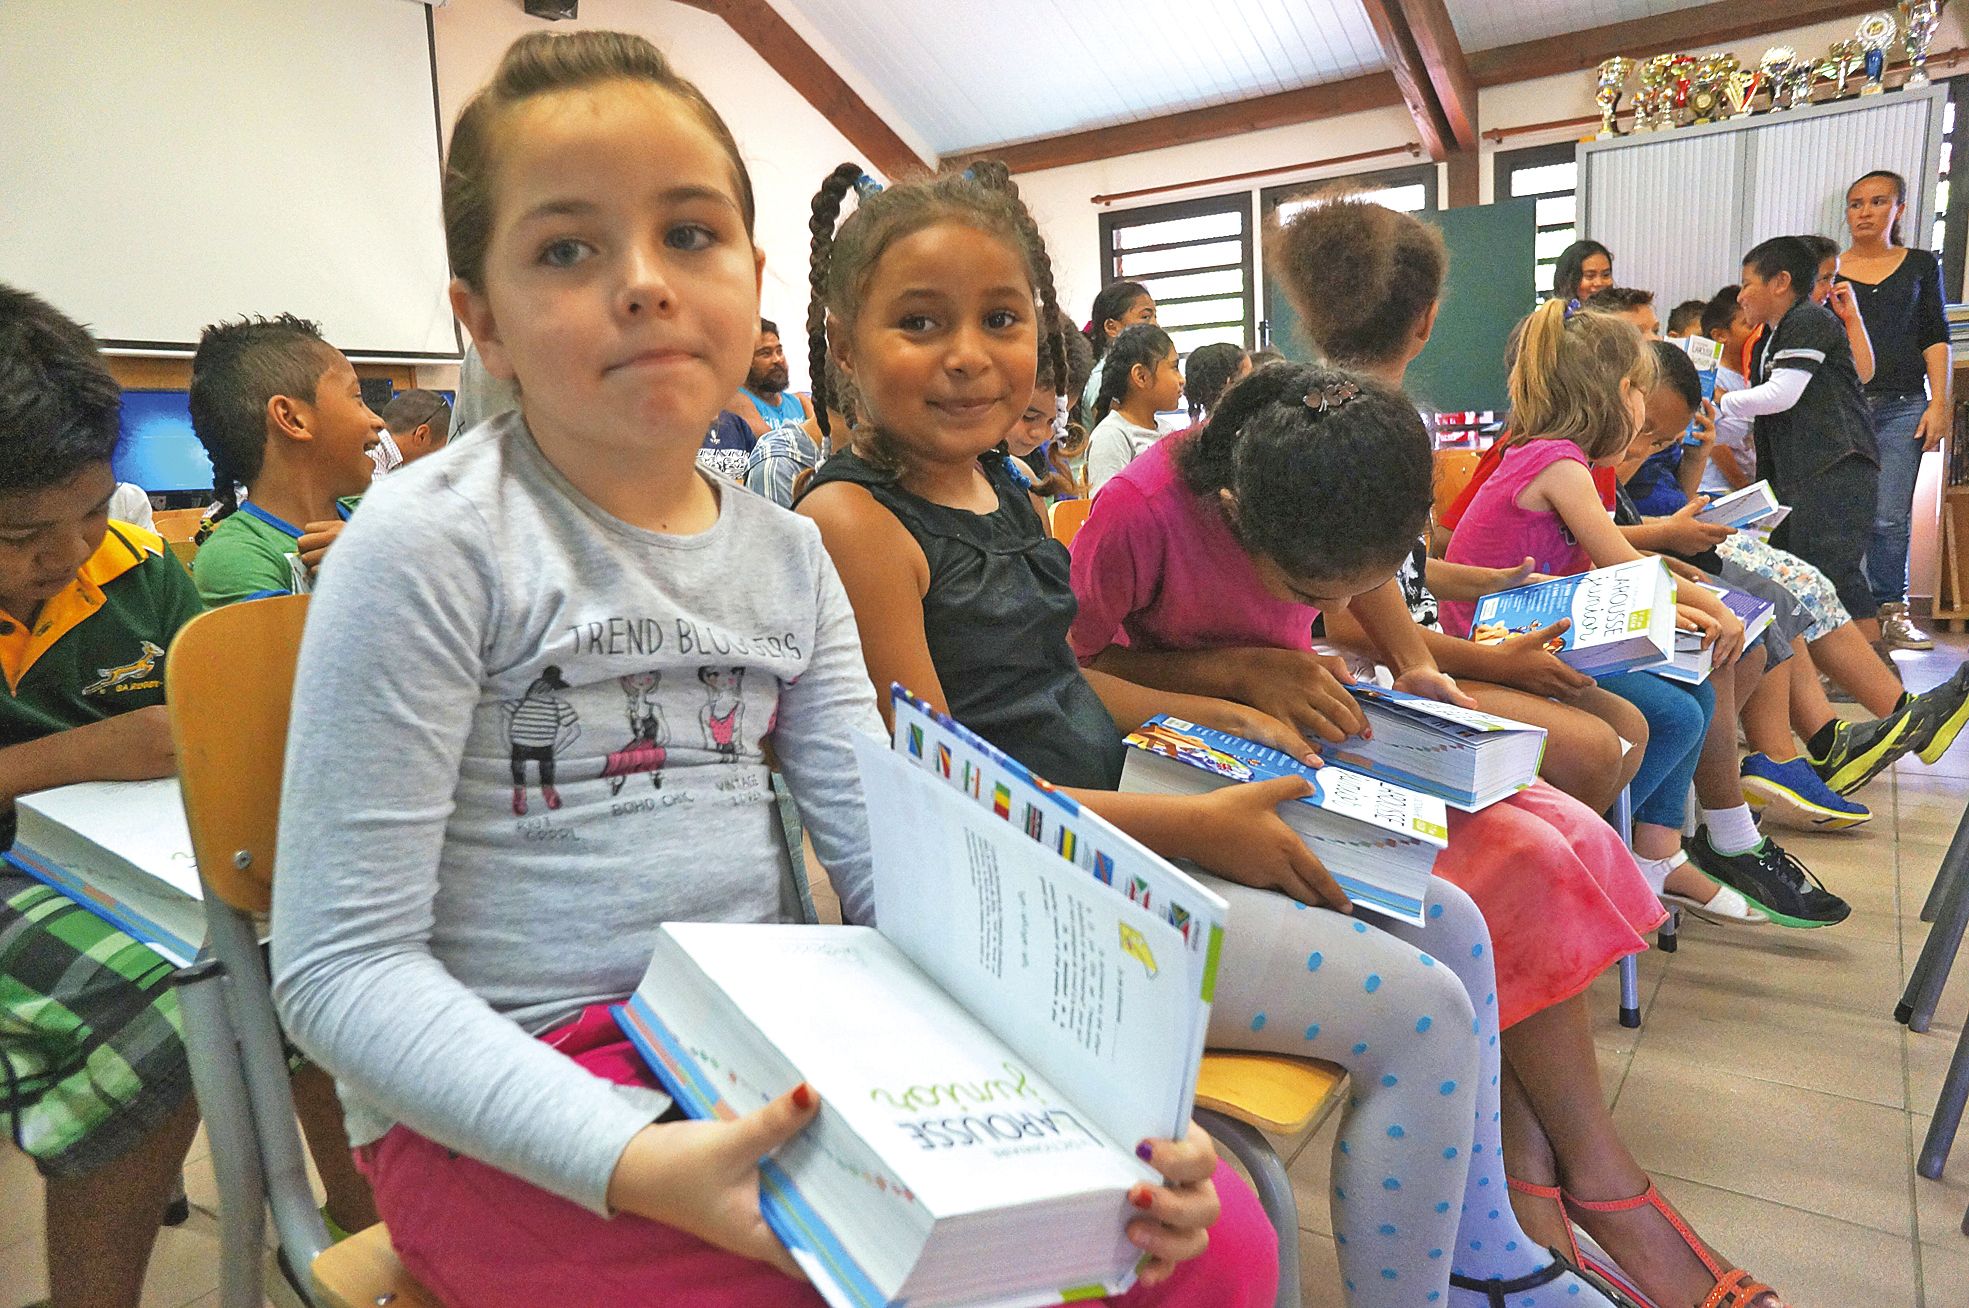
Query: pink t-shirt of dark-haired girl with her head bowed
[1157, 568]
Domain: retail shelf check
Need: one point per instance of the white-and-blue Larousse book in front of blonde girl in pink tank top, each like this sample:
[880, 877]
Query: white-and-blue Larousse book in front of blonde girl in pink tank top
[1623, 616]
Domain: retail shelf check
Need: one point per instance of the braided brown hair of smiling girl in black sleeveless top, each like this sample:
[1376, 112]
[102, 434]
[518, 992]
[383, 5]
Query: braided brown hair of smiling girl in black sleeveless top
[844, 261]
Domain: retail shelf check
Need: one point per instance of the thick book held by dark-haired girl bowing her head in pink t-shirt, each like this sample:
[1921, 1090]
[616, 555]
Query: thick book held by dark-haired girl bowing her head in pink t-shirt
[1464, 757]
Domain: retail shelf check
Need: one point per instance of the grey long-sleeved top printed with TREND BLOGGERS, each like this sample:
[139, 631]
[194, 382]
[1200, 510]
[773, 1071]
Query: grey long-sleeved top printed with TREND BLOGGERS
[525, 736]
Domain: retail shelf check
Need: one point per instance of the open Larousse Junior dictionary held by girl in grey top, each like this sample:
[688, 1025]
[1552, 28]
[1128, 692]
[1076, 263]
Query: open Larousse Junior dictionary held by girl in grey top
[985, 1061]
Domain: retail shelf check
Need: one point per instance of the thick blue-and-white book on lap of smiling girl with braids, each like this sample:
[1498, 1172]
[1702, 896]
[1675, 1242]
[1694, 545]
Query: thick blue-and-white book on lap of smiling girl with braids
[1379, 842]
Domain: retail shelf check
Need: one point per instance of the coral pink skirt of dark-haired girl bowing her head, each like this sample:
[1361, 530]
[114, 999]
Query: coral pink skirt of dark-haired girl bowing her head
[1558, 889]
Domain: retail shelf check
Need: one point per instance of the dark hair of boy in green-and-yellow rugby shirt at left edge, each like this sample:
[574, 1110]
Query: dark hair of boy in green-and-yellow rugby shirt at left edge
[58, 403]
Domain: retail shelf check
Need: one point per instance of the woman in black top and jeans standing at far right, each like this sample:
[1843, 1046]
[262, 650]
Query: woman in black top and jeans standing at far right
[1899, 294]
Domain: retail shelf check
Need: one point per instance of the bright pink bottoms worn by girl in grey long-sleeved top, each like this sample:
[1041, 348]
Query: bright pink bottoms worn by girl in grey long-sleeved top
[477, 1238]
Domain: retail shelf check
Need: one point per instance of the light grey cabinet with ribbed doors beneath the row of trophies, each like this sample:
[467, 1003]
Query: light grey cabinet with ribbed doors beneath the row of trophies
[1681, 210]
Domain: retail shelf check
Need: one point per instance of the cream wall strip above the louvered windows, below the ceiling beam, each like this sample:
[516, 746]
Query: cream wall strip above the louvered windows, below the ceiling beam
[1062, 198]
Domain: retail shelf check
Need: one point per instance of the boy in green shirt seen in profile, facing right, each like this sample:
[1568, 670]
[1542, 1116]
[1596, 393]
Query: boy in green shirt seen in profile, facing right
[283, 415]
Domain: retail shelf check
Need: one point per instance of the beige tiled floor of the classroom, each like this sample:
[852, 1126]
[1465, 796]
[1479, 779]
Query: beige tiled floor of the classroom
[1769, 1088]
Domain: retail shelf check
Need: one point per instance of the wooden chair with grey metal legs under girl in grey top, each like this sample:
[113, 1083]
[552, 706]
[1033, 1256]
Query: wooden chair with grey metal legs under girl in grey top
[229, 683]
